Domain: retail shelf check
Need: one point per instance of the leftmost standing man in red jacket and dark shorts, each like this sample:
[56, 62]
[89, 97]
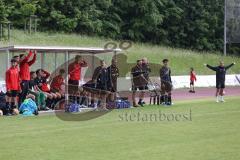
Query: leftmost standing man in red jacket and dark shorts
[13, 88]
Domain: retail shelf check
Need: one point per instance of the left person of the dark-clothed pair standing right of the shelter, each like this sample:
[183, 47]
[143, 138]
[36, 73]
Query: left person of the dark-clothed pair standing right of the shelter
[138, 83]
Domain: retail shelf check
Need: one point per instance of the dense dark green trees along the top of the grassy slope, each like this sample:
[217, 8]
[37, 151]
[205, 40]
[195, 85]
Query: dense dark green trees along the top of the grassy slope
[180, 23]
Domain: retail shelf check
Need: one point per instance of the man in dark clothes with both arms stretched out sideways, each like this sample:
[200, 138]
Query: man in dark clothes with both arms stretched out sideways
[220, 79]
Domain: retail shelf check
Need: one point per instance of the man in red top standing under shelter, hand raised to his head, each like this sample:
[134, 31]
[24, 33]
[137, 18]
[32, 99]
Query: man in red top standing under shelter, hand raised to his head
[74, 70]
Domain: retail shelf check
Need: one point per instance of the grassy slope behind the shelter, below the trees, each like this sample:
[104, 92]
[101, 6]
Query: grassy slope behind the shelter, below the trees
[181, 59]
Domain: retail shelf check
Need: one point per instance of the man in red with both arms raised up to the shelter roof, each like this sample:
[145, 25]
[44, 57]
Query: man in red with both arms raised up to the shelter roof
[25, 64]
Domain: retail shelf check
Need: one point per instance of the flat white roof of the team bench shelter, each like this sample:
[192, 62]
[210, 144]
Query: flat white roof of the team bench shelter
[58, 49]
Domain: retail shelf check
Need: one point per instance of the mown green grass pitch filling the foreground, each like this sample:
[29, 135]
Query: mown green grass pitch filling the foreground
[212, 133]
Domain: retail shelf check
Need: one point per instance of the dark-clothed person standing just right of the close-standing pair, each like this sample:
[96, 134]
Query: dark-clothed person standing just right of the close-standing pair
[166, 83]
